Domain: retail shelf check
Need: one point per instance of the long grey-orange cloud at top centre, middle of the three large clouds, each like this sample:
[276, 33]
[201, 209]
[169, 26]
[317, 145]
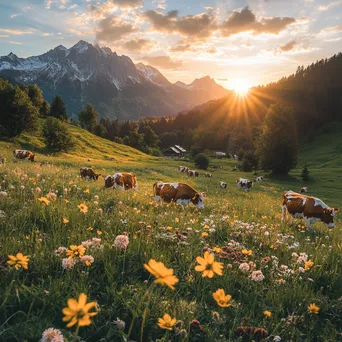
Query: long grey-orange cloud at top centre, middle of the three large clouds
[198, 26]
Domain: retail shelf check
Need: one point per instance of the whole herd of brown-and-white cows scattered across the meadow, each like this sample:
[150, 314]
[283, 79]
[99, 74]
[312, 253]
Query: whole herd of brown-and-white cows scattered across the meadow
[297, 205]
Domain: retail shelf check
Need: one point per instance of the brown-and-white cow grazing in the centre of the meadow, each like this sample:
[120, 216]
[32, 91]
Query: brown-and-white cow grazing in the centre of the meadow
[178, 192]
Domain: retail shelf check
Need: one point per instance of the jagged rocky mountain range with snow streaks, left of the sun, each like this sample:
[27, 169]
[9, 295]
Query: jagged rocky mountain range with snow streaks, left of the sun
[116, 86]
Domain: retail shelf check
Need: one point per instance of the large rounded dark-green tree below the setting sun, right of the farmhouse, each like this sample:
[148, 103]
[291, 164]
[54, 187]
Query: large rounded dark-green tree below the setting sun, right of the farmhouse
[278, 145]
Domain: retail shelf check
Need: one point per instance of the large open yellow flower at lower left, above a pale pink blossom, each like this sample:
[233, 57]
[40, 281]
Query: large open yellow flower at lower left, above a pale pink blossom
[77, 312]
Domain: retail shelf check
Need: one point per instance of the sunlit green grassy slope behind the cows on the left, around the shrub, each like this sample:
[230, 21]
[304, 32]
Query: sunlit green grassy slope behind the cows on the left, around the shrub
[87, 146]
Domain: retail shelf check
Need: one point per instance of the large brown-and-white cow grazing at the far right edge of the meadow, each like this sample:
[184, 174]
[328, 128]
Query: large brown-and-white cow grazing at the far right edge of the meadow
[310, 208]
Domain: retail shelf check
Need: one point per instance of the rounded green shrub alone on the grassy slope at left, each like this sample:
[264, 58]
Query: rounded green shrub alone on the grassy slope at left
[57, 136]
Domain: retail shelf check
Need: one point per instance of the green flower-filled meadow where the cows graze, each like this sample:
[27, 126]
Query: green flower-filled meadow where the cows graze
[273, 272]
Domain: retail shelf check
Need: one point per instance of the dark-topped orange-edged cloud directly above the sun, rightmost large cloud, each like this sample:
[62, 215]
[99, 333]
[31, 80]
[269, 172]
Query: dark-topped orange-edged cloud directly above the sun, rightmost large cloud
[243, 20]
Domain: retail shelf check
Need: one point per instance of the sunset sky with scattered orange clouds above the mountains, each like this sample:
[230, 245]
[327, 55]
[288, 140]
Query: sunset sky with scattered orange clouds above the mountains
[256, 41]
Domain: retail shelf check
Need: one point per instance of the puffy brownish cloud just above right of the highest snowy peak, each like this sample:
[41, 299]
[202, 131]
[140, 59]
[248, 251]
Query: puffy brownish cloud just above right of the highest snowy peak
[113, 28]
